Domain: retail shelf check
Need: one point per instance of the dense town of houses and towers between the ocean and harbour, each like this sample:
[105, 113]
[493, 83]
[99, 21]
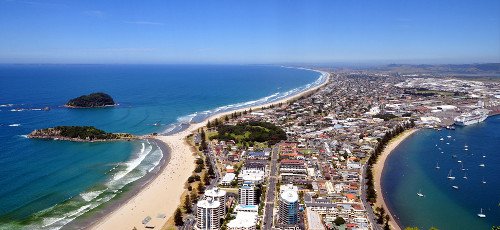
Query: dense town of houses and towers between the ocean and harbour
[306, 164]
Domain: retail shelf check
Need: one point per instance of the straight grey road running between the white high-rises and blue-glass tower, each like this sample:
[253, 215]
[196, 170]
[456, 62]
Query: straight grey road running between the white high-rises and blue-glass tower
[271, 190]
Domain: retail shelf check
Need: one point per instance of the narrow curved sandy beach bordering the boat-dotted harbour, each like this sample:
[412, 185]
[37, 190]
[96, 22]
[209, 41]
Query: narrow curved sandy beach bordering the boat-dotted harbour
[379, 167]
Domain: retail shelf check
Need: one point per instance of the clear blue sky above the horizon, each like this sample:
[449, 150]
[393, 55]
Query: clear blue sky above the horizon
[114, 31]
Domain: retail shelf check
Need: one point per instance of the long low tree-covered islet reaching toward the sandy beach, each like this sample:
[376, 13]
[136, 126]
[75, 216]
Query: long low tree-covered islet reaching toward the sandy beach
[78, 133]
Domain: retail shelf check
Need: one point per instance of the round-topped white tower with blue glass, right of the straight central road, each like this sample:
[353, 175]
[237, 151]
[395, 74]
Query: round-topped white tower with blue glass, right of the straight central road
[288, 205]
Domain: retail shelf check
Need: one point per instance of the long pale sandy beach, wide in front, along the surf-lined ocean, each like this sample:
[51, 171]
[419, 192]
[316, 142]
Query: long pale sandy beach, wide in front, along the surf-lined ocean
[162, 195]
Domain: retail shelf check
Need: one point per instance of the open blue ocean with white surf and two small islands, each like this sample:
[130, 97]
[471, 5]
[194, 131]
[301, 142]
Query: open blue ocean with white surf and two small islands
[47, 184]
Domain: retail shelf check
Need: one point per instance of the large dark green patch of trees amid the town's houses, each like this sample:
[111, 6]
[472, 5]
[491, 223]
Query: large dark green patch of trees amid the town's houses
[250, 132]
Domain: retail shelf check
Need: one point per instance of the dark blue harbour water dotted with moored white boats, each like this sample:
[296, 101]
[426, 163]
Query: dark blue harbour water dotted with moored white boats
[412, 168]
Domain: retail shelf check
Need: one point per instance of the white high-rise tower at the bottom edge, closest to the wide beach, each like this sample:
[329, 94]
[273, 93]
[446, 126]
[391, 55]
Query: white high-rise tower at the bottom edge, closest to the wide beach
[207, 215]
